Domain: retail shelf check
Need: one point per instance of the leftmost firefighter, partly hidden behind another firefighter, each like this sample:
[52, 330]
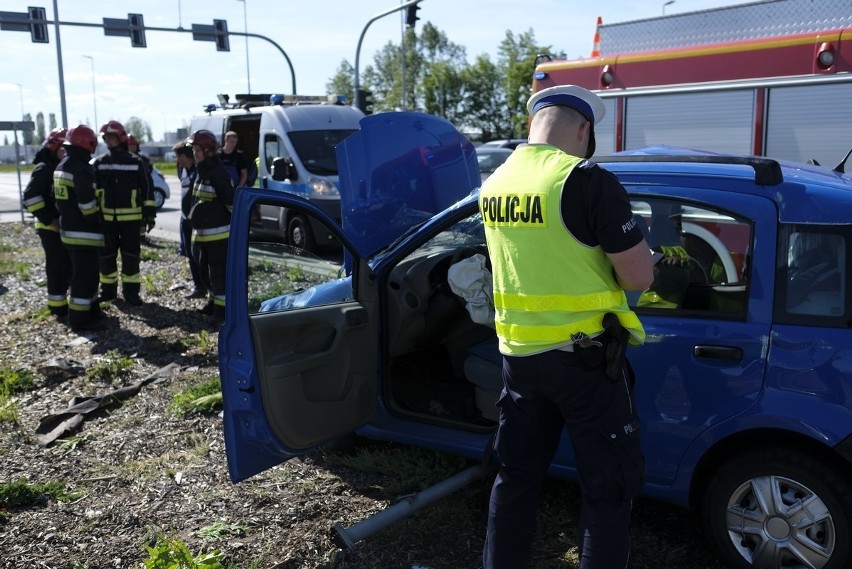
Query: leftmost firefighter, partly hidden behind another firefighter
[39, 201]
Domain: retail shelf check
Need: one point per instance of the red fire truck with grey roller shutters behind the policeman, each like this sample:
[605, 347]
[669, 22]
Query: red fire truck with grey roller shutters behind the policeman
[770, 78]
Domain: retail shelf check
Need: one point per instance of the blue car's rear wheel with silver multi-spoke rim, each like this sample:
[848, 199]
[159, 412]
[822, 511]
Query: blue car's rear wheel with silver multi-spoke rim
[790, 504]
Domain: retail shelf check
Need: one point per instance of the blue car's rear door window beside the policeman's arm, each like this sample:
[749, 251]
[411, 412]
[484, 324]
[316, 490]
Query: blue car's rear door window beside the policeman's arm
[702, 259]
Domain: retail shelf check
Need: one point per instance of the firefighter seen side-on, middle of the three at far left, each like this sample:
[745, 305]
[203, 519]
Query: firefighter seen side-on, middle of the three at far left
[80, 225]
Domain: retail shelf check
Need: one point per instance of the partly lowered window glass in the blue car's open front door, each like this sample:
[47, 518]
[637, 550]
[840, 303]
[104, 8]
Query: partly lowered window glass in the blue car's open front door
[283, 277]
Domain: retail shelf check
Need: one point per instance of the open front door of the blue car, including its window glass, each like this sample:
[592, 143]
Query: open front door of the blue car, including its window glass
[297, 354]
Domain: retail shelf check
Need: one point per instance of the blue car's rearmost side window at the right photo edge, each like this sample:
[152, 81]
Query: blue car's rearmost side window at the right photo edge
[812, 275]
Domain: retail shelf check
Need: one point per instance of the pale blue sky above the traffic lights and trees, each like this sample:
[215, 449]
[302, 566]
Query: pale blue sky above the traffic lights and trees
[174, 77]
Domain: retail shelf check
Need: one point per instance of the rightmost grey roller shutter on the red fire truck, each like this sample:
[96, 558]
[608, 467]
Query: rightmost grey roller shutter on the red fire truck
[810, 122]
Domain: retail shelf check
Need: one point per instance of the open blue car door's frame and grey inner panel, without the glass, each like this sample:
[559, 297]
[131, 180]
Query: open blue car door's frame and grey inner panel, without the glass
[337, 344]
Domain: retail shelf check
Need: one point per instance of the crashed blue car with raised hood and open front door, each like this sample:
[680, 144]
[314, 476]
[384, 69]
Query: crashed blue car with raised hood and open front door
[744, 383]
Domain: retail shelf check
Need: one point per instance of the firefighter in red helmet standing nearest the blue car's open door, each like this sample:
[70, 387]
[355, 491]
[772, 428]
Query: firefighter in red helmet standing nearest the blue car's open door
[210, 216]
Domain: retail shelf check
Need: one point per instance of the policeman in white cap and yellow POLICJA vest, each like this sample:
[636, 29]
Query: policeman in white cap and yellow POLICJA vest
[563, 246]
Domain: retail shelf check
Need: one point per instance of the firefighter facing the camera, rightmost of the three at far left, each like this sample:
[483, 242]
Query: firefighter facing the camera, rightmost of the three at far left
[127, 204]
